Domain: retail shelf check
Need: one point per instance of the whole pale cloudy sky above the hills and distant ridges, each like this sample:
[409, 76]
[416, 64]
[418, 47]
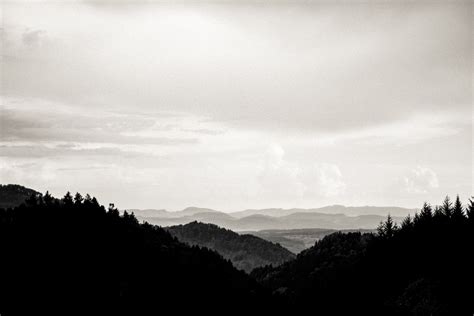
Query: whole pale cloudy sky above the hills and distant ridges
[236, 105]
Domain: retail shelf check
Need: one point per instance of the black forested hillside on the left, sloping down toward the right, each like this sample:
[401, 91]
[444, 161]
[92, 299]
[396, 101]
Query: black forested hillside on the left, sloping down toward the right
[75, 252]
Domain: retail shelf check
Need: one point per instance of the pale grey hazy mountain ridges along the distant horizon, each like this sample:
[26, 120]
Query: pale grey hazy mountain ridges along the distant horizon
[330, 217]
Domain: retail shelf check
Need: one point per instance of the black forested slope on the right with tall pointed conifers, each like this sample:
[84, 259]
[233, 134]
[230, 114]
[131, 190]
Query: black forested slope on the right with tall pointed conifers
[423, 267]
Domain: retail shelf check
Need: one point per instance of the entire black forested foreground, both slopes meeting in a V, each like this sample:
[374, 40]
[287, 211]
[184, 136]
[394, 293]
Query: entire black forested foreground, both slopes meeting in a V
[67, 255]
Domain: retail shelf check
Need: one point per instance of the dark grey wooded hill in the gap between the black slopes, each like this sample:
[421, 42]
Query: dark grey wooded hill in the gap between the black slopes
[246, 252]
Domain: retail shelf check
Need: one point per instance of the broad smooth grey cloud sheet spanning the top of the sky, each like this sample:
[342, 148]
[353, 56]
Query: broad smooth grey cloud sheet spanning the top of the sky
[339, 69]
